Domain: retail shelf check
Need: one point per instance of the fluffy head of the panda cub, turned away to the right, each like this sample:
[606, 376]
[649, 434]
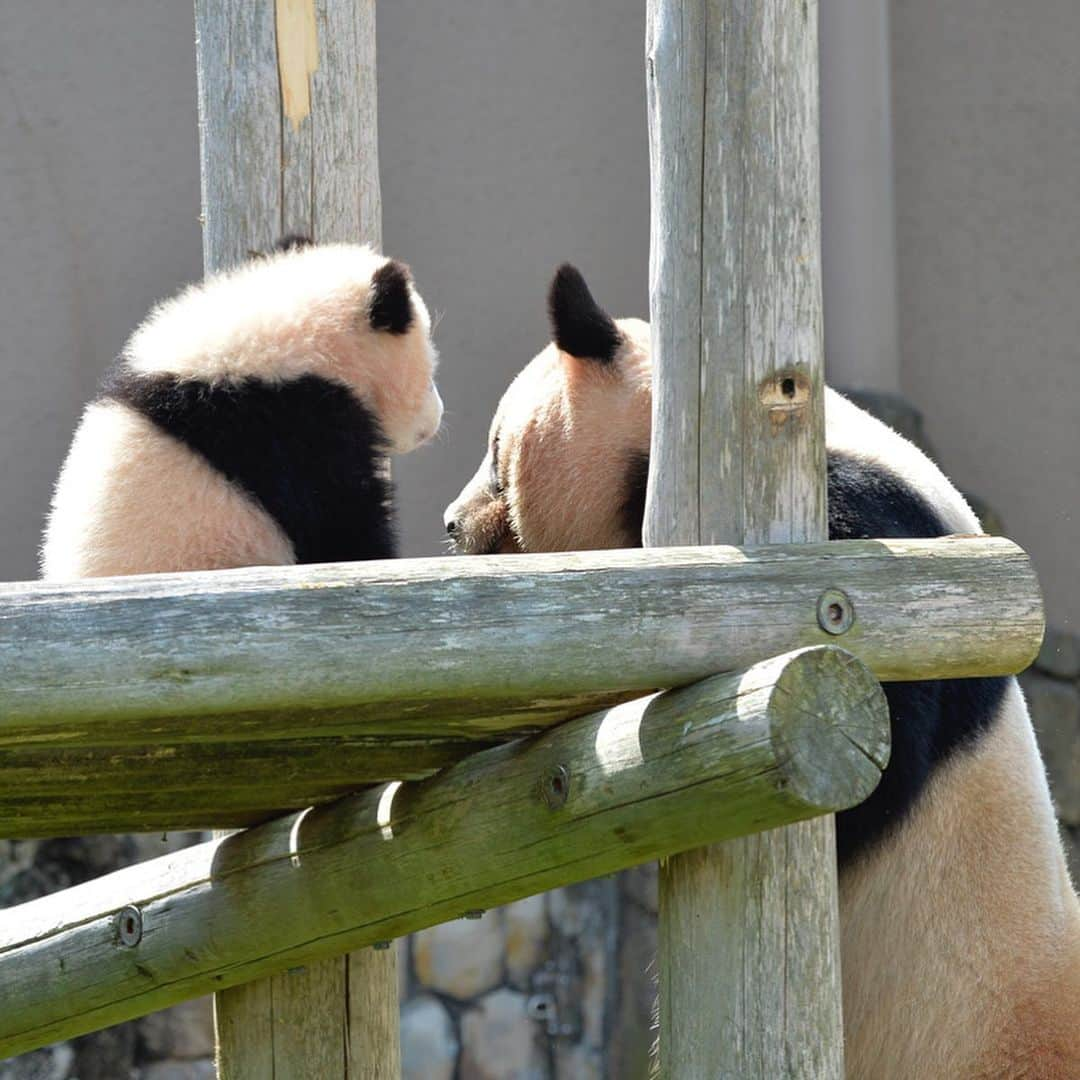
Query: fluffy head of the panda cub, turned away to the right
[339, 312]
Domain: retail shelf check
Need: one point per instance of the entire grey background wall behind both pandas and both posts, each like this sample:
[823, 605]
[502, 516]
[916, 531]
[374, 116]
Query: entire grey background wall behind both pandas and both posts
[512, 138]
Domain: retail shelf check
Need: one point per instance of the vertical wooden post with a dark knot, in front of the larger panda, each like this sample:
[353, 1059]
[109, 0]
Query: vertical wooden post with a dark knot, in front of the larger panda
[749, 952]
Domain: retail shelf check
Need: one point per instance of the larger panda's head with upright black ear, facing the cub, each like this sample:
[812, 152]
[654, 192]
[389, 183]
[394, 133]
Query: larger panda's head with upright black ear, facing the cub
[569, 448]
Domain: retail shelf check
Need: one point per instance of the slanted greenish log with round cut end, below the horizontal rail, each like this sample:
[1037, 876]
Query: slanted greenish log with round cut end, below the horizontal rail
[736, 753]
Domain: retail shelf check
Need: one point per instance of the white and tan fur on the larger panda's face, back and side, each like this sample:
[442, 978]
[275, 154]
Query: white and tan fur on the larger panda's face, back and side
[961, 931]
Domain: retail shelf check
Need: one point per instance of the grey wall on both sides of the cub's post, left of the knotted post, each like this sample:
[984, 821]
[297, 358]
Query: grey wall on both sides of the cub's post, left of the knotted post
[512, 138]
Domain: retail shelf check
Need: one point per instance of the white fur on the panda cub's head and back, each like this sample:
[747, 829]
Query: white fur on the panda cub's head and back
[132, 499]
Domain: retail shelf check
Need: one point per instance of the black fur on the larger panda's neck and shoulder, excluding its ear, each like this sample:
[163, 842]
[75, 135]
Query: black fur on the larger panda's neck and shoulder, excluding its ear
[930, 721]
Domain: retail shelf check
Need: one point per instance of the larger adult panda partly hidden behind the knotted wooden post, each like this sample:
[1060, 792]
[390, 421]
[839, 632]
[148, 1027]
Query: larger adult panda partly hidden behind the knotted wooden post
[961, 929]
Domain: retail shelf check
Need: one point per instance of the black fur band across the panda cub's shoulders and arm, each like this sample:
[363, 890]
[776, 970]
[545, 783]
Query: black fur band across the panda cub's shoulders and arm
[306, 450]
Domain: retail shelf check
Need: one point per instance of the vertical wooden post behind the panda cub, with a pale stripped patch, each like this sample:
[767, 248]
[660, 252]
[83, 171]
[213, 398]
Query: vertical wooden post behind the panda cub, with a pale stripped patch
[289, 144]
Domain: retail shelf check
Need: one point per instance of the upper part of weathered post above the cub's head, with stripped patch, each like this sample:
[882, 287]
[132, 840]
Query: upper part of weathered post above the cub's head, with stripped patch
[264, 174]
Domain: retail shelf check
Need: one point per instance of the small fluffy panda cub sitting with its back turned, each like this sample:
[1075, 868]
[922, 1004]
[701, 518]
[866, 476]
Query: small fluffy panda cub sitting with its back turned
[248, 422]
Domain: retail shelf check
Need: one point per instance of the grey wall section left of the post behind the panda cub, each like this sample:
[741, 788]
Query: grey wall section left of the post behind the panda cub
[99, 219]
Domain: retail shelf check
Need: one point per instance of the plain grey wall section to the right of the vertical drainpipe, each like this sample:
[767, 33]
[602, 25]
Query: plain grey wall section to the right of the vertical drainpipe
[988, 155]
